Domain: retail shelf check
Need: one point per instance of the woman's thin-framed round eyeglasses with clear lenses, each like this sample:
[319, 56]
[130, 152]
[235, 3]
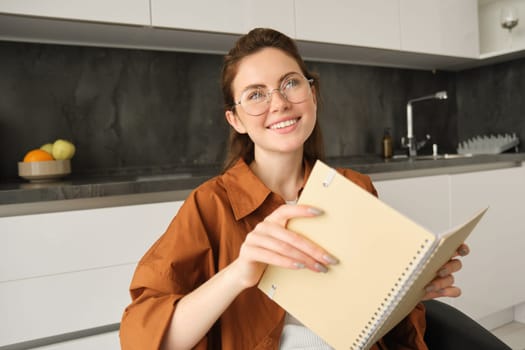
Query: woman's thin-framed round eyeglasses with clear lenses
[295, 88]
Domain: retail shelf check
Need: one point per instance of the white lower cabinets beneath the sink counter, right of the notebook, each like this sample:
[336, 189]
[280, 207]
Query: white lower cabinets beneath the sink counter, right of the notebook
[491, 278]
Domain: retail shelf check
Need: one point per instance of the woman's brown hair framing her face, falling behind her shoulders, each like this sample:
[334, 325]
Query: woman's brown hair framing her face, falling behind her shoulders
[240, 145]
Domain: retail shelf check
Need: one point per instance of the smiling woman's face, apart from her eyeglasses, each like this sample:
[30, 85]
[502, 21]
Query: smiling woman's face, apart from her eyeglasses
[284, 126]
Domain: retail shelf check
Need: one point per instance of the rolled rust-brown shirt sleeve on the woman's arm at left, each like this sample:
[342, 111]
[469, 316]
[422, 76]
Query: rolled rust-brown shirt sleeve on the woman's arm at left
[180, 261]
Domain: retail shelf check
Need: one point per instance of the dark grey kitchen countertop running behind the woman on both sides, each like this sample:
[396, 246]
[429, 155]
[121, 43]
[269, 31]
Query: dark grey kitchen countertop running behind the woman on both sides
[82, 192]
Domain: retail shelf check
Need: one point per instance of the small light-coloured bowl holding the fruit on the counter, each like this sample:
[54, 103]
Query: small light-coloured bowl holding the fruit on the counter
[44, 171]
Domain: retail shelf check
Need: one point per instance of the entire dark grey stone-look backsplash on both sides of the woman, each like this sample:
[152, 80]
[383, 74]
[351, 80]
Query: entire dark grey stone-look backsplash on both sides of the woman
[131, 110]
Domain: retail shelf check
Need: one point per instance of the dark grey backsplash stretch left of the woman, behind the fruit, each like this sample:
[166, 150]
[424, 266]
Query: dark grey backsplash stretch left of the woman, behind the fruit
[122, 108]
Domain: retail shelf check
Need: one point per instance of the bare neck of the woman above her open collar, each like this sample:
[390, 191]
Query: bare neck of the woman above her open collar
[283, 173]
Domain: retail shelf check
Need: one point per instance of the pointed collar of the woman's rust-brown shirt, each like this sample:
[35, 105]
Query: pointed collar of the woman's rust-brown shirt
[246, 191]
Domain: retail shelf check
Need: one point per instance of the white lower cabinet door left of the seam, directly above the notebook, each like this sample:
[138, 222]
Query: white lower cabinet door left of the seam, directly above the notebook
[423, 199]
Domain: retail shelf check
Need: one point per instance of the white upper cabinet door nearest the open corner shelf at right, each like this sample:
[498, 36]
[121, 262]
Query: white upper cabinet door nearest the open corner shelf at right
[444, 27]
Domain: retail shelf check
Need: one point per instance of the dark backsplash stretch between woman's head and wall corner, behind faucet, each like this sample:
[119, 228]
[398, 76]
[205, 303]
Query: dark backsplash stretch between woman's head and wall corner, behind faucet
[359, 102]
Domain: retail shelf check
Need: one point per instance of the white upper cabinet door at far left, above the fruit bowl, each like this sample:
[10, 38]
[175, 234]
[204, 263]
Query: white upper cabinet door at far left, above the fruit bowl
[135, 12]
